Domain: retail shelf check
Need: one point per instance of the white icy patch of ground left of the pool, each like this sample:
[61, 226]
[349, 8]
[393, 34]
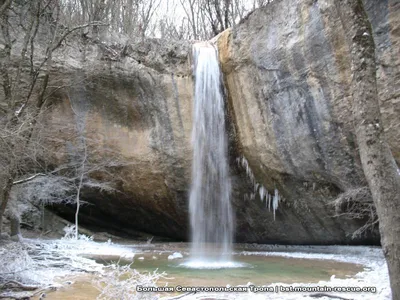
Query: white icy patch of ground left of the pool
[41, 261]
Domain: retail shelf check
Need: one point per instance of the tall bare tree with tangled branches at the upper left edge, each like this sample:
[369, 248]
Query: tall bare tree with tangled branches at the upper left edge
[25, 87]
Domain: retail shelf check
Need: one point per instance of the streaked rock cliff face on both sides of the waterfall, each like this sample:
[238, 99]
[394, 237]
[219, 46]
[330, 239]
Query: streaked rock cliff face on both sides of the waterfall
[287, 75]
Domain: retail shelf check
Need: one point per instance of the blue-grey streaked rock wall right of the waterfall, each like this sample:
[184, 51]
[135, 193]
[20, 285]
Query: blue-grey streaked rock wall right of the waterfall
[288, 71]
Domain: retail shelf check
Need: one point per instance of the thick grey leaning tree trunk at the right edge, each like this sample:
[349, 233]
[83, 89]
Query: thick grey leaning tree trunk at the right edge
[377, 160]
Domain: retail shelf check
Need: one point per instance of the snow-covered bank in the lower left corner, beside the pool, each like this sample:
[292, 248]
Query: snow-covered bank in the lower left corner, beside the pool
[40, 263]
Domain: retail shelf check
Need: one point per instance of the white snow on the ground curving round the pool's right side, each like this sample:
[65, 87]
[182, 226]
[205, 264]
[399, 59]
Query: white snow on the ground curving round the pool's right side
[375, 273]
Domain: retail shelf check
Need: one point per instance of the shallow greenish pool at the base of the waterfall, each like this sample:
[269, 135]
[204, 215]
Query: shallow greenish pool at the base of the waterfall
[257, 269]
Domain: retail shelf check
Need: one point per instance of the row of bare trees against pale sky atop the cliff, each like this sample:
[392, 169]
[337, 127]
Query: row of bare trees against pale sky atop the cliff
[202, 19]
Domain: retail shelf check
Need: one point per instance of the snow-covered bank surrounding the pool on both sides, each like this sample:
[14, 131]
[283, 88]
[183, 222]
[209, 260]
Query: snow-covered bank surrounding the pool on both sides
[43, 261]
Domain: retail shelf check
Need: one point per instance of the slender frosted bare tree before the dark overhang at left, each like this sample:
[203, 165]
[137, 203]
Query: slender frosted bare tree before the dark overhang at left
[64, 185]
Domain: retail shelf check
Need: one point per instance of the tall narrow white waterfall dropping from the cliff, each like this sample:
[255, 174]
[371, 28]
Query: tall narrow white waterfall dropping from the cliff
[210, 207]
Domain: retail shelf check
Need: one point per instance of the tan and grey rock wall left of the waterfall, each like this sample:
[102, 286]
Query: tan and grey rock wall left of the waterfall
[135, 105]
